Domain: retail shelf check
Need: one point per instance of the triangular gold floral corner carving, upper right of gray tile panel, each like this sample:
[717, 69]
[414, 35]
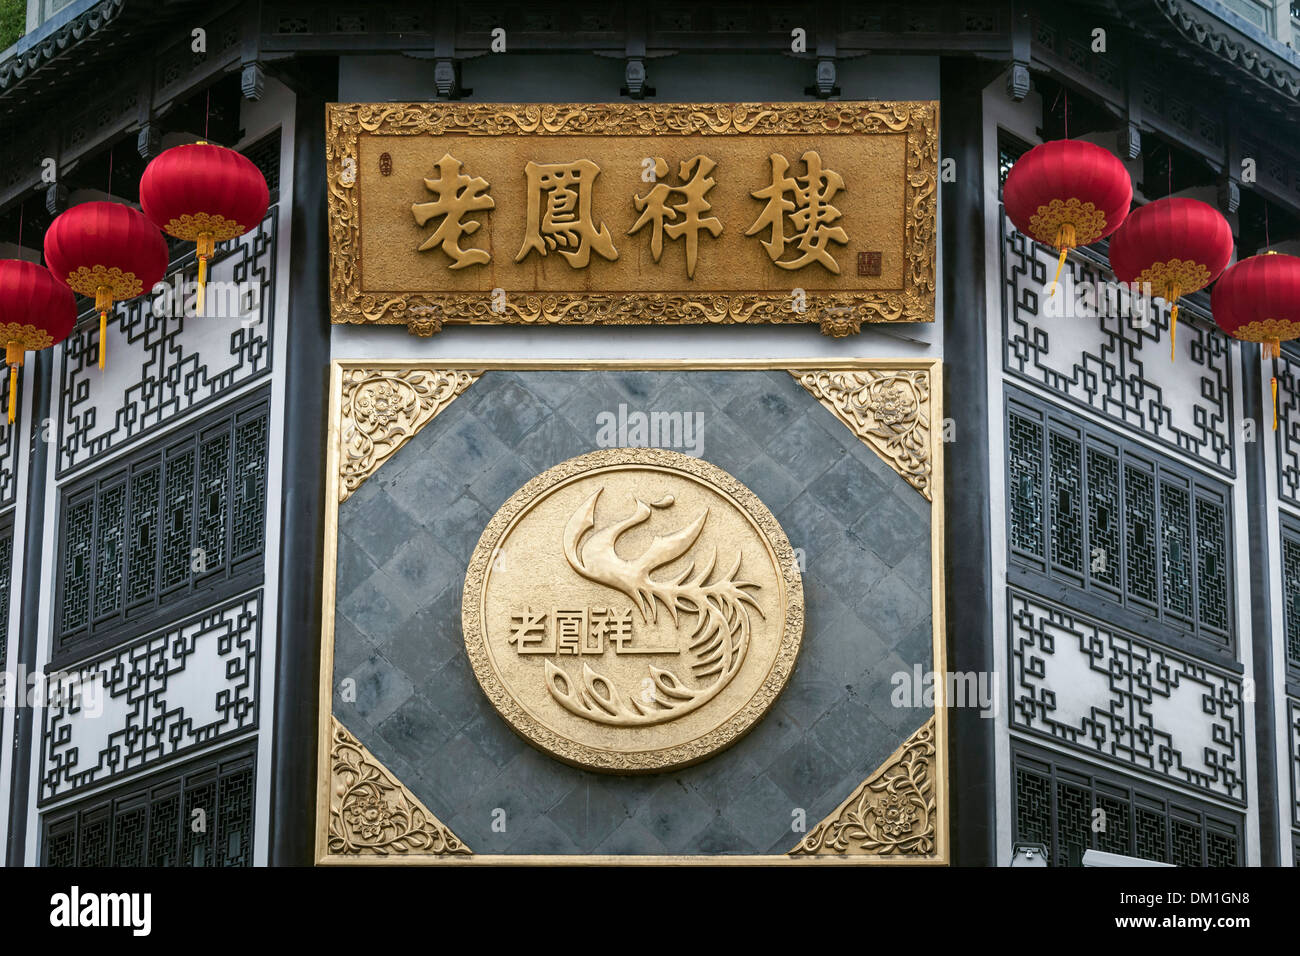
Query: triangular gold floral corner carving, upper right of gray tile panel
[890, 410]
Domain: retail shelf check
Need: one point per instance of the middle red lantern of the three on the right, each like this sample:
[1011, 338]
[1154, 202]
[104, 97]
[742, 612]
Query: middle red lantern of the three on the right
[1177, 246]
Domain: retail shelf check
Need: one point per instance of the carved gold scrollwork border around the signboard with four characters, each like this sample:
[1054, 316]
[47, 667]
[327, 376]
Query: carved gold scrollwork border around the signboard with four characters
[838, 313]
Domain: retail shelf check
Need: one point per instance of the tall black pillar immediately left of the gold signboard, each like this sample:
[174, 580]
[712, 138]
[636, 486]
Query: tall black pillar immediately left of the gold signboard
[298, 620]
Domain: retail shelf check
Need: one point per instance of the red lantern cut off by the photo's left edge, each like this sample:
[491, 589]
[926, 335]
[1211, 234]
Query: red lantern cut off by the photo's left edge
[37, 312]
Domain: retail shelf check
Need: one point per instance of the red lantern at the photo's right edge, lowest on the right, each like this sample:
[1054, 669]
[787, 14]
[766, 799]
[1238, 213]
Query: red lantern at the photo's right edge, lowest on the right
[1259, 301]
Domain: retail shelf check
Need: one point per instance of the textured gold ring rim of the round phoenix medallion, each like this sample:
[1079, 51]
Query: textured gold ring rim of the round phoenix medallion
[683, 755]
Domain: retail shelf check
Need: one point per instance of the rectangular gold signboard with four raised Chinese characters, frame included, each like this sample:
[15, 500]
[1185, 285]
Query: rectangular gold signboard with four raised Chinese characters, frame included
[632, 214]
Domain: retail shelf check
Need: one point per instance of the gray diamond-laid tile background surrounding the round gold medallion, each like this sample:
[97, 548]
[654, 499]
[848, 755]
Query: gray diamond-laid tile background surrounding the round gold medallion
[405, 542]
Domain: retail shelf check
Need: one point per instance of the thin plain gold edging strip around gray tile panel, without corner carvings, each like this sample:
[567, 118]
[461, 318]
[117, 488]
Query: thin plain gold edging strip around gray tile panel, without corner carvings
[326, 784]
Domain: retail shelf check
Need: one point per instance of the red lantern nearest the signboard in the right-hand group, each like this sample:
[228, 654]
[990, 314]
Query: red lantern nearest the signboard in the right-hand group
[1067, 194]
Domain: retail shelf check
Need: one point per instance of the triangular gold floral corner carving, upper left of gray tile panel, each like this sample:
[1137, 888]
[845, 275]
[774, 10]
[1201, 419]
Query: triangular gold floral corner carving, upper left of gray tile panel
[382, 410]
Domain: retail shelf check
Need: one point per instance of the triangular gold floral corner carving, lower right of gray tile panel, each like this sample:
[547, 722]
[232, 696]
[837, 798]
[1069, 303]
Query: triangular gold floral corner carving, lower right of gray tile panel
[891, 814]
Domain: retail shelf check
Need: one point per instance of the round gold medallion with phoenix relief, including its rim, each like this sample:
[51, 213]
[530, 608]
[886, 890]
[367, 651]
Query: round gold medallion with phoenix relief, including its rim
[634, 611]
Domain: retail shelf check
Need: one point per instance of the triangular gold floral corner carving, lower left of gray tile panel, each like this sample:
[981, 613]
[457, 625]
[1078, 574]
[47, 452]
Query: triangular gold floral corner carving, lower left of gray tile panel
[372, 814]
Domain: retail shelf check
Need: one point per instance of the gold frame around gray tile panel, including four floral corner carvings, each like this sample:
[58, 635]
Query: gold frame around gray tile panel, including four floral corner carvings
[865, 829]
